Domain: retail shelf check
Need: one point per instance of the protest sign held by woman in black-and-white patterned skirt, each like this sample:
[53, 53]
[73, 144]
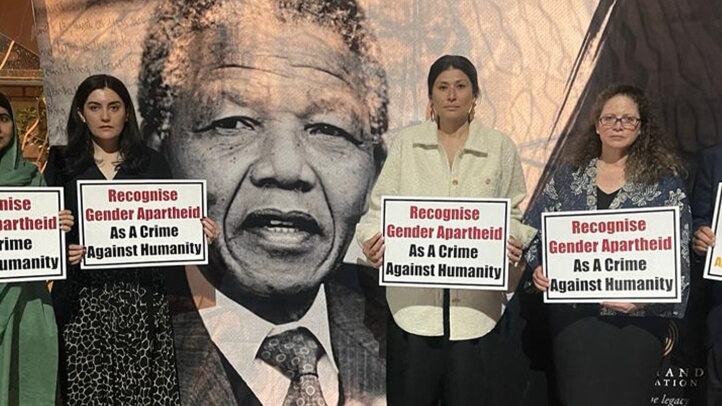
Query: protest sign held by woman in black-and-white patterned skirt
[139, 223]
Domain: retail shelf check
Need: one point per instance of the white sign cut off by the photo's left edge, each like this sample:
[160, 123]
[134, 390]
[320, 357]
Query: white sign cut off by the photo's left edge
[32, 246]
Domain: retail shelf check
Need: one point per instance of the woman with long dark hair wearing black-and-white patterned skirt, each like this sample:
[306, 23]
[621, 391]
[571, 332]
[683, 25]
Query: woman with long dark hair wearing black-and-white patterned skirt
[116, 339]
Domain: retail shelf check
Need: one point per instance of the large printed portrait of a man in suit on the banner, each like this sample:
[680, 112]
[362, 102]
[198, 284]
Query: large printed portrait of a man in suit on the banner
[280, 105]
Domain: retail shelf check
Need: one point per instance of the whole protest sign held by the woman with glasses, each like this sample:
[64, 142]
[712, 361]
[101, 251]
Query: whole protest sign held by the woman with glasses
[627, 255]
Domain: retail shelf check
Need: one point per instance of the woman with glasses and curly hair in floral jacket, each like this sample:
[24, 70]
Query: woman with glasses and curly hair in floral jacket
[609, 353]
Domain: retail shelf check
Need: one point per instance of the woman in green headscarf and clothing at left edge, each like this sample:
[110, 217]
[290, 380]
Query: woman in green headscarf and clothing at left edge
[28, 333]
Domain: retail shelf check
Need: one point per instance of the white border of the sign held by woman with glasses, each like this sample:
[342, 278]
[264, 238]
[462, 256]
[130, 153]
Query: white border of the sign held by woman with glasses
[596, 298]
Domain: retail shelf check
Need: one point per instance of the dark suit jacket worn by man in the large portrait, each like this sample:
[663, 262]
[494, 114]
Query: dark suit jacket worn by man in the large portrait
[204, 379]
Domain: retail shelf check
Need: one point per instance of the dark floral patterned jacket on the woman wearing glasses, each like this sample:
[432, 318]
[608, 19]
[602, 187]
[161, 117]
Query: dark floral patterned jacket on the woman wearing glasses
[576, 189]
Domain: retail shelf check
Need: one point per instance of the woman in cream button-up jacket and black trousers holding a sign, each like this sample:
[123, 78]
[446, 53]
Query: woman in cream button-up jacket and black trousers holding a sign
[440, 341]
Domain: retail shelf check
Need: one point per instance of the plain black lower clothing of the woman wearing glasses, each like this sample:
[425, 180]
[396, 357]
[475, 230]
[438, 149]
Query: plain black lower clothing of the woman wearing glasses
[601, 361]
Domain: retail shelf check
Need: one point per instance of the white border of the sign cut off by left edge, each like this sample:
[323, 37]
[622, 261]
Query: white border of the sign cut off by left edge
[56, 192]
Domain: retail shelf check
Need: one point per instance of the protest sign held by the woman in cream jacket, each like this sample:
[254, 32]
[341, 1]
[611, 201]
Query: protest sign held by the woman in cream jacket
[445, 243]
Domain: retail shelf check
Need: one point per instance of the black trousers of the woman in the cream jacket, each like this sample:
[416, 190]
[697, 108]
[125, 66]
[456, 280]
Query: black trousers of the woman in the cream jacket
[431, 371]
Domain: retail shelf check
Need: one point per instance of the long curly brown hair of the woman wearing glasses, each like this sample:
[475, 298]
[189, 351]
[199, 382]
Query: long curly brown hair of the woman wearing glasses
[652, 154]
